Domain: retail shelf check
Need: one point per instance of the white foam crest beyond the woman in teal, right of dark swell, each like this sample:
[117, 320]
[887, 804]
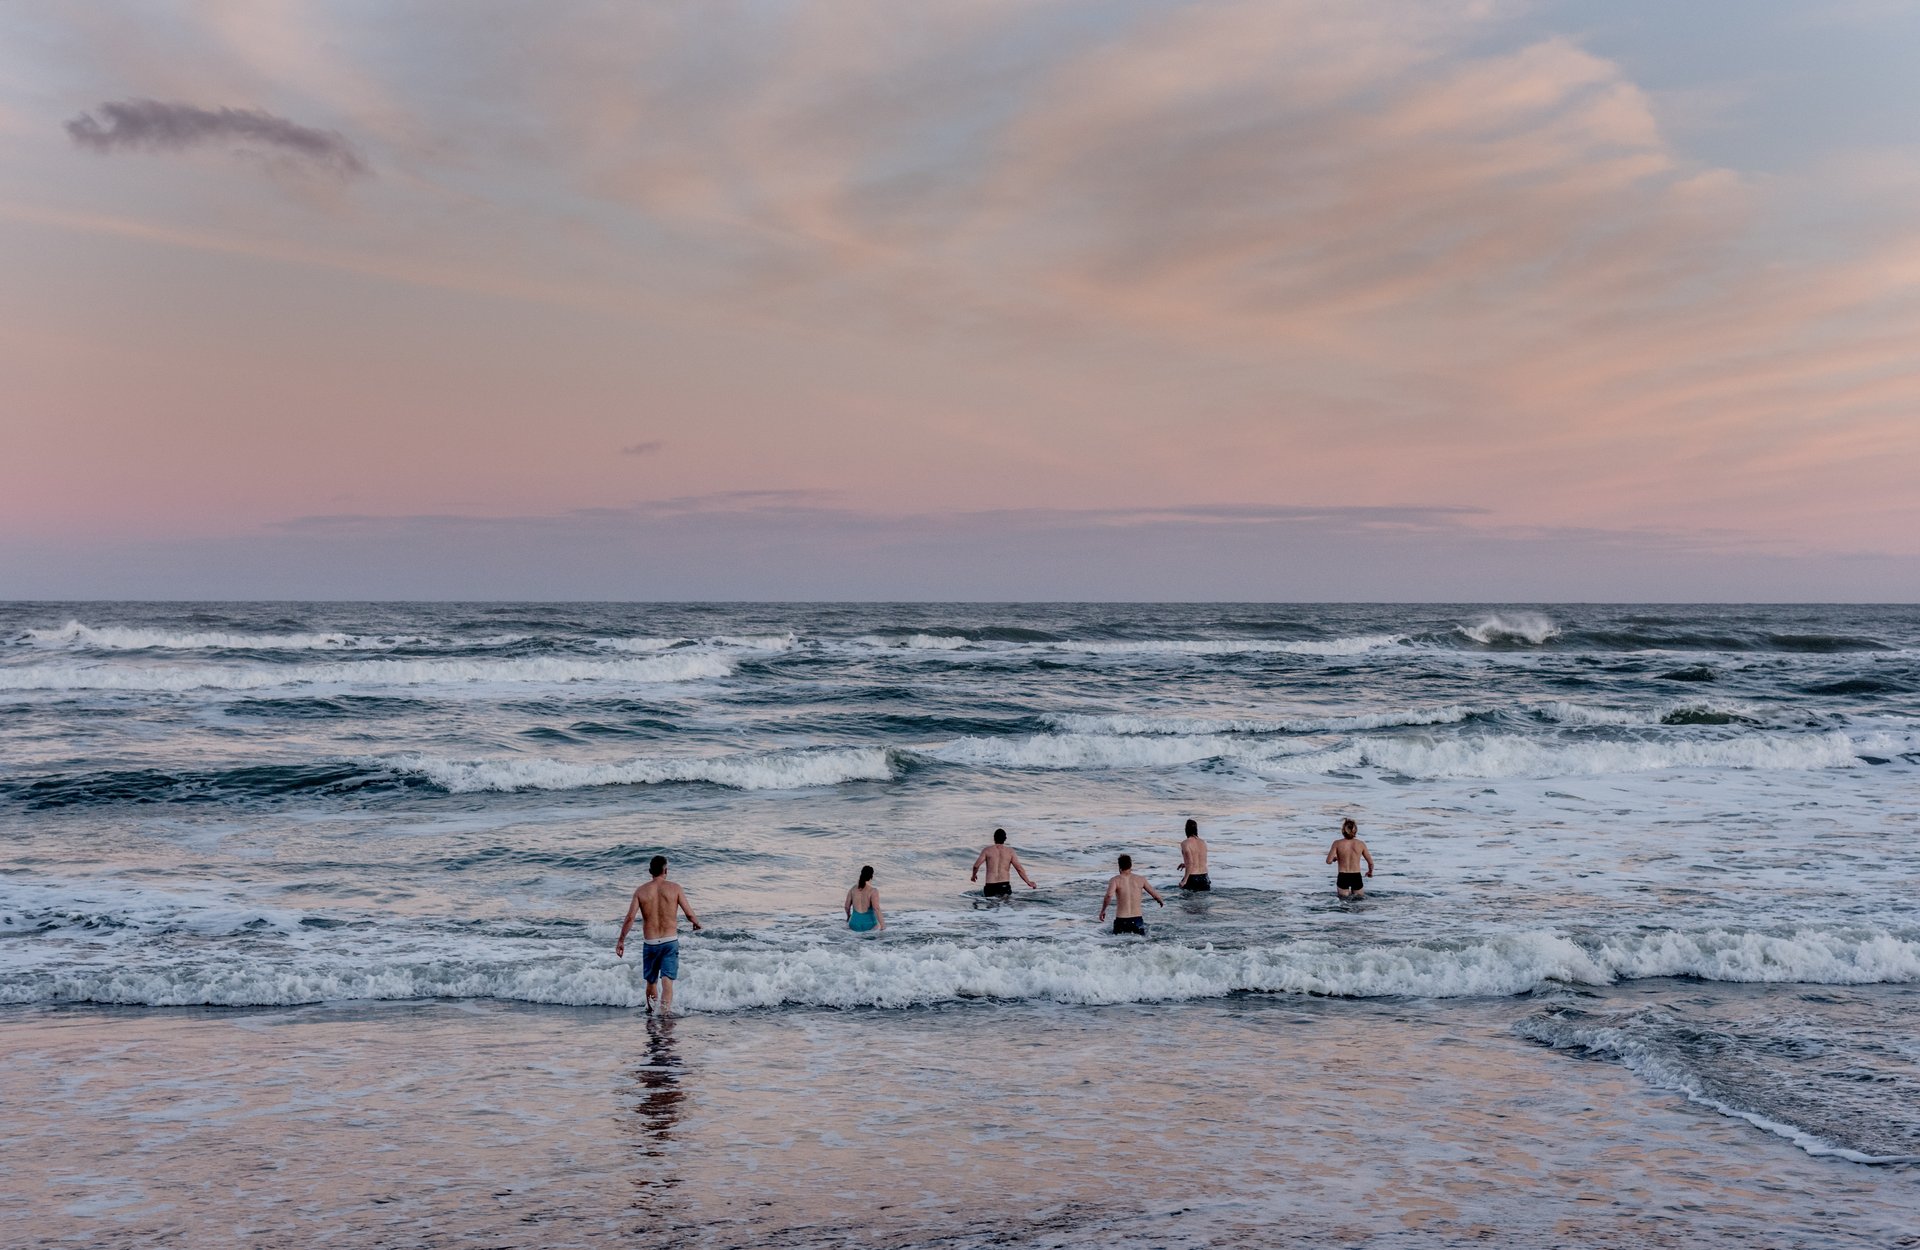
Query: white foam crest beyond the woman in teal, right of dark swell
[750, 771]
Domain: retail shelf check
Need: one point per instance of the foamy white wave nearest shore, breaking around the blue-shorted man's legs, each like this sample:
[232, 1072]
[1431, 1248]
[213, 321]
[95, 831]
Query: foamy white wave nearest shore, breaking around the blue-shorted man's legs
[903, 973]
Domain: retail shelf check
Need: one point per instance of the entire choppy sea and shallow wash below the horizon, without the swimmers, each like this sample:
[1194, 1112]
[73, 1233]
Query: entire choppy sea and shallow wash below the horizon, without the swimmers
[308, 923]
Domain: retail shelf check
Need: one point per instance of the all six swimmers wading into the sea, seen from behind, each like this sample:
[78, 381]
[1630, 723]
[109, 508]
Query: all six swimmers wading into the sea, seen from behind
[660, 903]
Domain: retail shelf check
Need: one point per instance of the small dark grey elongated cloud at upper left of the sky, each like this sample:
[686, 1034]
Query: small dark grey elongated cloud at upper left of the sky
[155, 126]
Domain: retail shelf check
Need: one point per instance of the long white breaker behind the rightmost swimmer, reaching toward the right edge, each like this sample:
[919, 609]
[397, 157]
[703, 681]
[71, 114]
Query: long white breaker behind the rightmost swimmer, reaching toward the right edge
[1499, 756]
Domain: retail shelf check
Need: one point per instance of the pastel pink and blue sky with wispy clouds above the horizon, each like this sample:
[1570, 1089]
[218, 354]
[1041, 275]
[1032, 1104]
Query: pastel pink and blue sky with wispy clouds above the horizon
[961, 300]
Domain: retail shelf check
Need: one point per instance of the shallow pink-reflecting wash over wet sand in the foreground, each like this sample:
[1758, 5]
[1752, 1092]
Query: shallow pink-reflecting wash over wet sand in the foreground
[1245, 1122]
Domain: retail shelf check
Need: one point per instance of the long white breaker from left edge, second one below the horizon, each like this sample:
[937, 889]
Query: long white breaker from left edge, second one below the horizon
[162, 679]
